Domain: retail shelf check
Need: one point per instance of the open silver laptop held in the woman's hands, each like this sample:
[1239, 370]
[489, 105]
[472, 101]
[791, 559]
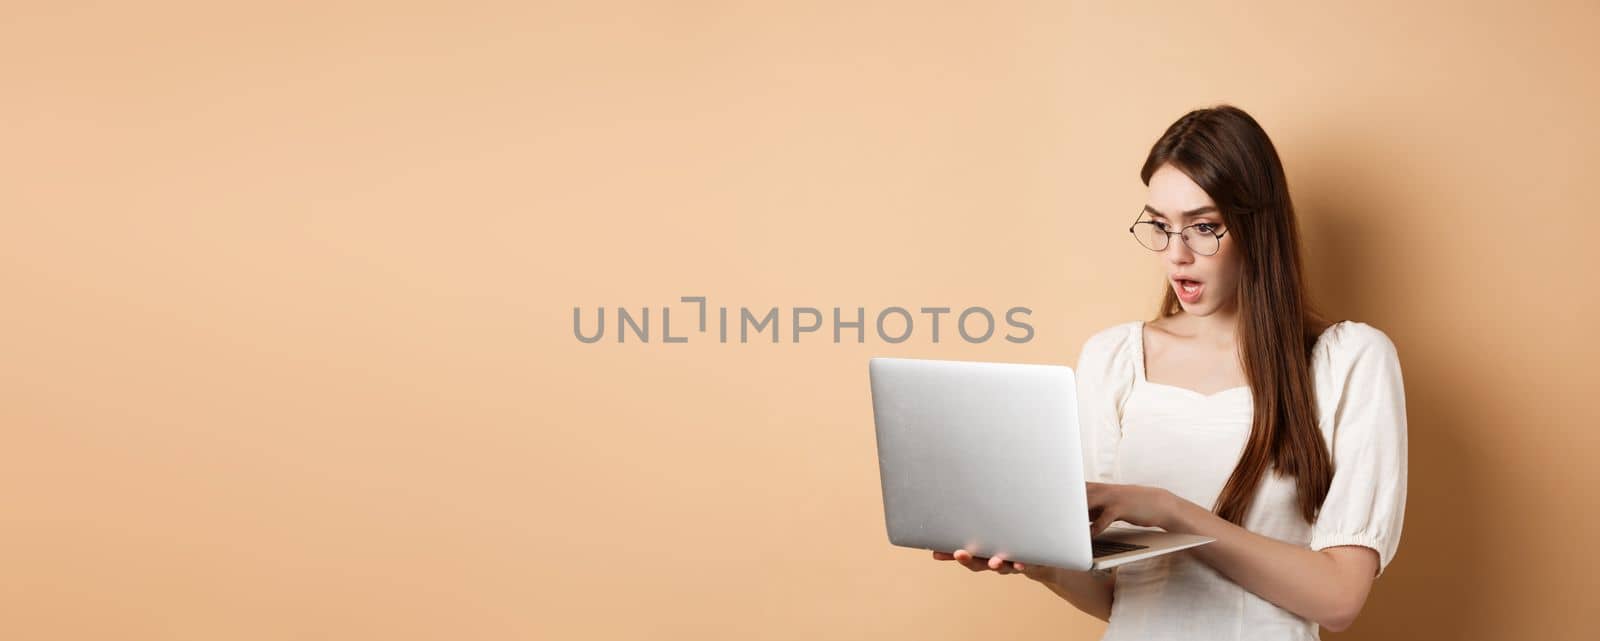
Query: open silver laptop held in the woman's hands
[988, 458]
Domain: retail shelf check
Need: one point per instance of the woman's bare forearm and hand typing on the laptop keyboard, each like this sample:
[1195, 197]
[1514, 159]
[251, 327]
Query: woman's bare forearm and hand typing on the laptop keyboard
[1327, 587]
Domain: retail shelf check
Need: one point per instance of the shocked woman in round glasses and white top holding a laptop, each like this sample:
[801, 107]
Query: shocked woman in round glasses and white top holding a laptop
[1238, 415]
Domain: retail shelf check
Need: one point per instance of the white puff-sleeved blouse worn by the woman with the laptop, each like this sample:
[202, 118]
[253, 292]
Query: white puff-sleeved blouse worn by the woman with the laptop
[1161, 436]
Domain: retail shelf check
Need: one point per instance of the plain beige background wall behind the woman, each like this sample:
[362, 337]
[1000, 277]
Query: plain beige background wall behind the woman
[287, 340]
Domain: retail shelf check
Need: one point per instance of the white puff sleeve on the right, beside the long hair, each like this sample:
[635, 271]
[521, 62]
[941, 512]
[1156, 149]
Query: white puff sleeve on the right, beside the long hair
[1366, 504]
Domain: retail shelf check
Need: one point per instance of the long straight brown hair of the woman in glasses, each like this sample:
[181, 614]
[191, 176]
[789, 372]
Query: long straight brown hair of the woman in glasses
[1228, 154]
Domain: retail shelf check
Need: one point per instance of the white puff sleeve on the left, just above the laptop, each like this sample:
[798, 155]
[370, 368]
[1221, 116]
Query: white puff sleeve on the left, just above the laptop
[1103, 381]
